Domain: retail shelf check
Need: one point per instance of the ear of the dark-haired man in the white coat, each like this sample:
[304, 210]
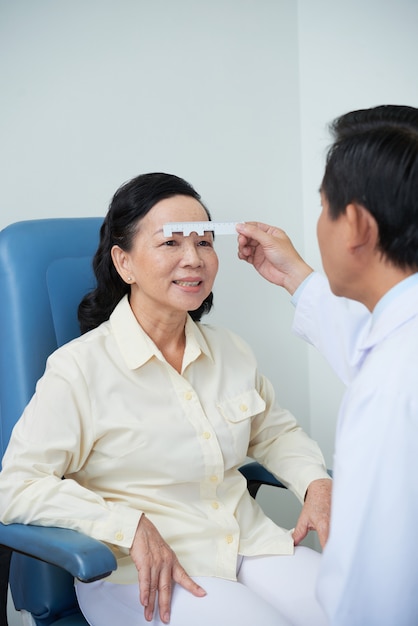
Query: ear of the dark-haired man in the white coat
[363, 232]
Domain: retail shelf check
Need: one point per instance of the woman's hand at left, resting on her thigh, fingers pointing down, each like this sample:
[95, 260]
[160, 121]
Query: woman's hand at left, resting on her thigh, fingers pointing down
[158, 567]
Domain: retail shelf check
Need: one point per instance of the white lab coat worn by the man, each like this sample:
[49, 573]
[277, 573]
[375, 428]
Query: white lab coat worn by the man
[369, 573]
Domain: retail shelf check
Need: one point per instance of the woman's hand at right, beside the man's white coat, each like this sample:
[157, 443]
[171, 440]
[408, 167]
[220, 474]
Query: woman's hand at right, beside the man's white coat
[316, 512]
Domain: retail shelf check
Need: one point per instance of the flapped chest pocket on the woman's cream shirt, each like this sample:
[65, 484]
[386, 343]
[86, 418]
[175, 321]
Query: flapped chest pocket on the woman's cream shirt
[237, 412]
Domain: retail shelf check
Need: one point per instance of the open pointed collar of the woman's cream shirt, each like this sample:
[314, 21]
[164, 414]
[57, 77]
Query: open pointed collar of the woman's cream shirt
[137, 347]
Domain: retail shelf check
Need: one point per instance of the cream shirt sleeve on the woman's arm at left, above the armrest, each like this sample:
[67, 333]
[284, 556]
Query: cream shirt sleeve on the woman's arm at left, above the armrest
[53, 439]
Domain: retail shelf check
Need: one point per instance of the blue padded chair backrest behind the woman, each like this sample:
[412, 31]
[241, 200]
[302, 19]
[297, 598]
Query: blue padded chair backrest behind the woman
[45, 269]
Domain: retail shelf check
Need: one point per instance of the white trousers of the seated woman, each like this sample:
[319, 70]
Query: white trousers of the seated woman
[270, 590]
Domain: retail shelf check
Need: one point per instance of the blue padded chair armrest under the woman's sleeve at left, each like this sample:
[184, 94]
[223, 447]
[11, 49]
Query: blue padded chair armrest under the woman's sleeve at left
[83, 557]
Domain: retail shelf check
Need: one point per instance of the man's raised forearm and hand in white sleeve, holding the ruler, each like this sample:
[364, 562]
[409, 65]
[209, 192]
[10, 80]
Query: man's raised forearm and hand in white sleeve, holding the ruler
[334, 325]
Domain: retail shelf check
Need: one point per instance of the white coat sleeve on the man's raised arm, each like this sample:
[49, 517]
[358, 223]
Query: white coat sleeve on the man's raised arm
[335, 326]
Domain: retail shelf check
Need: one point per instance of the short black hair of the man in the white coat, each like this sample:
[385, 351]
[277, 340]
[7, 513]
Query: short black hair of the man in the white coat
[374, 162]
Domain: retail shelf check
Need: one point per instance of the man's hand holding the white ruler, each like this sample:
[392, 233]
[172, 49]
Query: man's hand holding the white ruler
[272, 254]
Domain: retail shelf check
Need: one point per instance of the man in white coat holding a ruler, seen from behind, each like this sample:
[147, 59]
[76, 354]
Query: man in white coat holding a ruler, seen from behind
[368, 237]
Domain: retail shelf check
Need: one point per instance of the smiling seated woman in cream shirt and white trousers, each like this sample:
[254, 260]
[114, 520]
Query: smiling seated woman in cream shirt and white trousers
[148, 416]
